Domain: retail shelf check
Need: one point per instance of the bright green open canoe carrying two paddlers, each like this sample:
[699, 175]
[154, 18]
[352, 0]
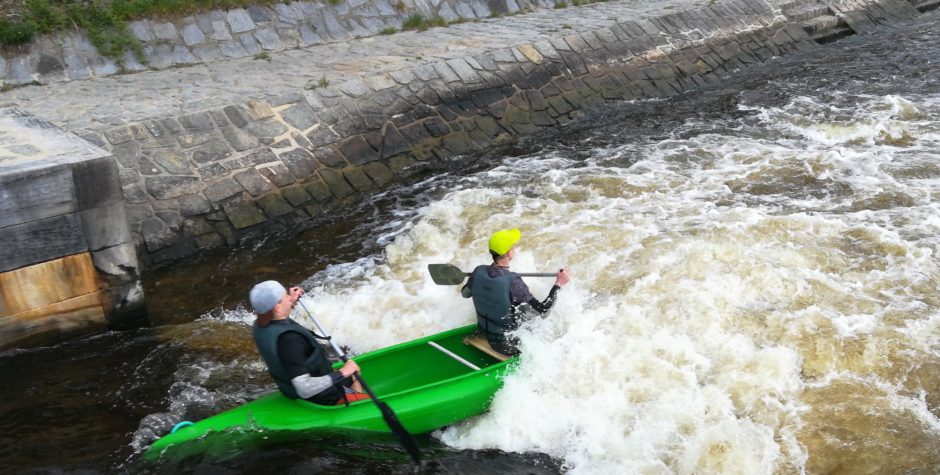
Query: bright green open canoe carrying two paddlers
[423, 381]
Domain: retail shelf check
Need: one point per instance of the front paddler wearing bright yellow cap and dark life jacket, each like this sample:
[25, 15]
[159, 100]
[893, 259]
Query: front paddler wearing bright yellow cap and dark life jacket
[501, 298]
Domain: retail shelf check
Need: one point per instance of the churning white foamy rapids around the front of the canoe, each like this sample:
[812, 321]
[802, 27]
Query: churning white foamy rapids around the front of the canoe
[700, 309]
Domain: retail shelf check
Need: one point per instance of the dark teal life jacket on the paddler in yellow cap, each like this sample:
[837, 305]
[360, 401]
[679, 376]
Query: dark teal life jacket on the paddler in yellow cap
[491, 298]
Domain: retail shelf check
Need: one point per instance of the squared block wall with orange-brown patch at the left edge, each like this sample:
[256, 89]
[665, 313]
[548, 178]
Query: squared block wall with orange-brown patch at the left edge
[68, 264]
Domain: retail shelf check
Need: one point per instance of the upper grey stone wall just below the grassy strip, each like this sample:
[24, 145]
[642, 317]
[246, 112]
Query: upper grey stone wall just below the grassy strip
[237, 33]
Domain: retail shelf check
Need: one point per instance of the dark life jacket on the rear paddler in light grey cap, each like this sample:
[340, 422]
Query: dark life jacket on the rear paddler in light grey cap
[317, 364]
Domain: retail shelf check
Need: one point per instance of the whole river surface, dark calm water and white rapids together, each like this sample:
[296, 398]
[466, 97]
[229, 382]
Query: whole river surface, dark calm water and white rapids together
[754, 290]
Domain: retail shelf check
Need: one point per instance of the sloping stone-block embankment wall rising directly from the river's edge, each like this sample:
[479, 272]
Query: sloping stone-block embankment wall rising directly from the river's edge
[206, 178]
